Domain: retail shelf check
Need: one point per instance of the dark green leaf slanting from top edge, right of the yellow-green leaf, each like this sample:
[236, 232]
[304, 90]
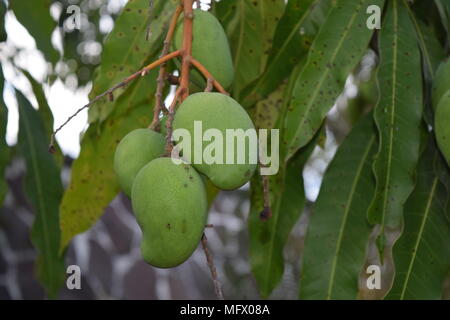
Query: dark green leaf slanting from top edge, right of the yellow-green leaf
[292, 39]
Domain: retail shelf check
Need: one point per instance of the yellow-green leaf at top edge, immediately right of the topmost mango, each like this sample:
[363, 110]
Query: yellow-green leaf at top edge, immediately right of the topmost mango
[250, 26]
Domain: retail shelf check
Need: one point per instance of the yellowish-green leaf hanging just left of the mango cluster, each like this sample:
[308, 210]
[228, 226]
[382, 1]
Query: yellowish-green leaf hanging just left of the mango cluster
[93, 182]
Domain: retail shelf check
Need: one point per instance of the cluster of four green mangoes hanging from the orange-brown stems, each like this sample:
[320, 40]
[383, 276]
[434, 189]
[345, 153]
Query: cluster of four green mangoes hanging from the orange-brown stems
[168, 194]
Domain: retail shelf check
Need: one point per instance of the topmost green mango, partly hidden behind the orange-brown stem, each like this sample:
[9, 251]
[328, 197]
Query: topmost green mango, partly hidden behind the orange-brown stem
[210, 47]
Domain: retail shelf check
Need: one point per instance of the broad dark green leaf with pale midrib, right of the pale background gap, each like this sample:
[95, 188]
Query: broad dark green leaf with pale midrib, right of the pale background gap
[338, 232]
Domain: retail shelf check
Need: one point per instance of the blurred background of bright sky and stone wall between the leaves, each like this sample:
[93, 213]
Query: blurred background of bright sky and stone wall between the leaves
[109, 254]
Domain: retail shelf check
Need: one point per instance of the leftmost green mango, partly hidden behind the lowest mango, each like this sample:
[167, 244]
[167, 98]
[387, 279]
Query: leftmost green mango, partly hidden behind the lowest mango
[134, 151]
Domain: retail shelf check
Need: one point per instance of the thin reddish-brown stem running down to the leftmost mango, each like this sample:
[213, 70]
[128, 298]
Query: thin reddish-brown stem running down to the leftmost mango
[162, 70]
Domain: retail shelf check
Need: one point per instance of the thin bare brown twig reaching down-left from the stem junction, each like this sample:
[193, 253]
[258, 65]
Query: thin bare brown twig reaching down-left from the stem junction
[110, 91]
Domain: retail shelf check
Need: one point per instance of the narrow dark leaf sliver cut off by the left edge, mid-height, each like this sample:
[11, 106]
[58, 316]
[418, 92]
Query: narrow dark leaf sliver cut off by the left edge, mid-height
[4, 149]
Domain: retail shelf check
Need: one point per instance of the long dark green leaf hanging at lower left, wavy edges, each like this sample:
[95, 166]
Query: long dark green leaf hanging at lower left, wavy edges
[44, 190]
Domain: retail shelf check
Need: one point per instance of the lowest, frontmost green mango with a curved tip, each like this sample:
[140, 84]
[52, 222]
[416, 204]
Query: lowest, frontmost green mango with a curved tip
[171, 207]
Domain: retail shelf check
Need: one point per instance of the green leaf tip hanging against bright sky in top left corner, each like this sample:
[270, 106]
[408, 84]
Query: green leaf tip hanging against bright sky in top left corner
[35, 17]
